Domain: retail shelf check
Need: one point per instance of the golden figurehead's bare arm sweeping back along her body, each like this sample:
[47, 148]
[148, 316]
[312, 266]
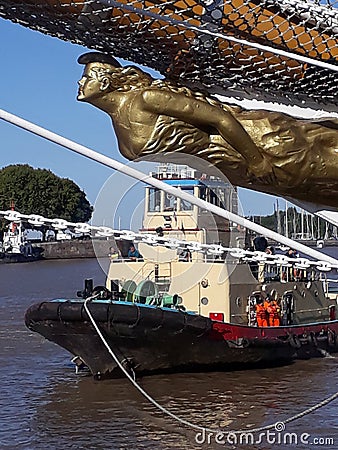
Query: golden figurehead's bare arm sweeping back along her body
[210, 118]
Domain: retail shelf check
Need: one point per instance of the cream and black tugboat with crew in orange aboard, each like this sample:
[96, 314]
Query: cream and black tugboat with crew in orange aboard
[164, 310]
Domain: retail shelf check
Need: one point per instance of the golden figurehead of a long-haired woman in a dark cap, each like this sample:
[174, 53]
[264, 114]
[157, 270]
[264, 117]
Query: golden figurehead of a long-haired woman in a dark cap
[262, 150]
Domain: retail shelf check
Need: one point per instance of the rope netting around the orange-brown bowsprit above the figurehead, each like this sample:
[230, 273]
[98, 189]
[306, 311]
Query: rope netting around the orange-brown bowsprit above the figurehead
[225, 47]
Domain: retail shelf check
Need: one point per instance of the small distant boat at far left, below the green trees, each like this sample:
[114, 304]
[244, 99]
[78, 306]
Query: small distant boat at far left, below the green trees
[15, 247]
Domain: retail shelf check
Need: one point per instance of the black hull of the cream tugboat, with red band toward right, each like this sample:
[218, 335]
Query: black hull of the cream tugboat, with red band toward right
[156, 340]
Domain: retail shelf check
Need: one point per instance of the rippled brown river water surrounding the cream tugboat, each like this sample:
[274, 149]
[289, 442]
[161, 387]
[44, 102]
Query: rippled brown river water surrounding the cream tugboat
[45, 405]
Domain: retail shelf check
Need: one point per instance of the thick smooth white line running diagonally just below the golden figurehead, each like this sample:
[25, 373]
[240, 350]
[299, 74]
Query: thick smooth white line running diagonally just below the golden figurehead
[136, 174]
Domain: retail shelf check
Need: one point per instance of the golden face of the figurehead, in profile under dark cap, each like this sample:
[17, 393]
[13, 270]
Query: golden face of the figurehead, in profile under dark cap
[90, 85]
